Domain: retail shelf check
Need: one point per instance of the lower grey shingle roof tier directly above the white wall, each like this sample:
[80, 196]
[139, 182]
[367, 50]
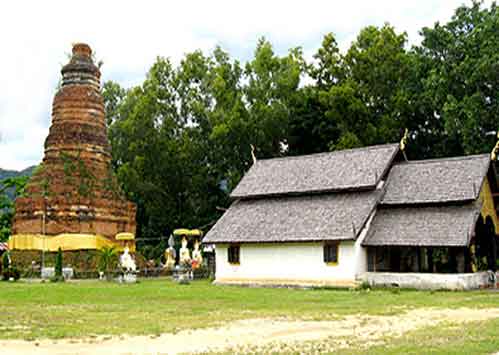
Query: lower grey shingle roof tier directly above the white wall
[338, 216]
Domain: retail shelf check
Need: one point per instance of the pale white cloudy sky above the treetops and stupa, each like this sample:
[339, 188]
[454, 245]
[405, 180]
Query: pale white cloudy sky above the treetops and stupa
[36, 38]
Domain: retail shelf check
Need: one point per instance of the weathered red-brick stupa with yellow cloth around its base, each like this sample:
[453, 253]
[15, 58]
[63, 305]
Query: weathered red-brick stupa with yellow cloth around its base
[73, 198]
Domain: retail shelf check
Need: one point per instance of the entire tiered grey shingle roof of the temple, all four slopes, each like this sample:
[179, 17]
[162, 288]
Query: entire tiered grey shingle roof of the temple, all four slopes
[331, 196]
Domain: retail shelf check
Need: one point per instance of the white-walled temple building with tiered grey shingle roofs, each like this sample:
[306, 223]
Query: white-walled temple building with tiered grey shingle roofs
[366, 214]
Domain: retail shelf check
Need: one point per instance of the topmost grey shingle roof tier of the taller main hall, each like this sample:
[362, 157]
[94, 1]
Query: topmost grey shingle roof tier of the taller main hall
[352, 169]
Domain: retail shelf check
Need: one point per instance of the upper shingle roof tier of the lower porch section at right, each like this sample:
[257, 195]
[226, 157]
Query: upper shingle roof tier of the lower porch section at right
[436, 181]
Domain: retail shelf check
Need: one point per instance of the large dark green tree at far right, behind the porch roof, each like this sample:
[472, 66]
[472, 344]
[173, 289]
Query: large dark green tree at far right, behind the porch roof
[460, 81]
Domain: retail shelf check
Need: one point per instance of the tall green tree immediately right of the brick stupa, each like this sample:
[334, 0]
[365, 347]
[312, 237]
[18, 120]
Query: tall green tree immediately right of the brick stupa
[145, 153]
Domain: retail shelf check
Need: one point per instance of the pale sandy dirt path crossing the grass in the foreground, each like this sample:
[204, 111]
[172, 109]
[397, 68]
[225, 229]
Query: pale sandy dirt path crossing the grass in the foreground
[254, 332]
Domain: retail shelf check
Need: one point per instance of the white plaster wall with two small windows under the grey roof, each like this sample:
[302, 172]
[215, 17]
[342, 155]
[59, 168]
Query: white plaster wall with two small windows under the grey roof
[291, 263]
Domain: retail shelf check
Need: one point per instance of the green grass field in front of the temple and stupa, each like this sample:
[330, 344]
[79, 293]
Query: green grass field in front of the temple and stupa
[90, 308]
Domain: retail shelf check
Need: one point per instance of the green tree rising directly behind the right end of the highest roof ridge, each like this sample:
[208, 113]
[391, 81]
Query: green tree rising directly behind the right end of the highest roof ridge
[378, 64]
